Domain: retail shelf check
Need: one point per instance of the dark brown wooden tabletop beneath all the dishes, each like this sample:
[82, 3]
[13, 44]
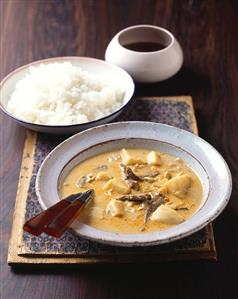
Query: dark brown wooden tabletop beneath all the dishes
[208, 32]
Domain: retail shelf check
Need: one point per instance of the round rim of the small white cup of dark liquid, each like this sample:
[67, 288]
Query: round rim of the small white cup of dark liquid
[165, 31]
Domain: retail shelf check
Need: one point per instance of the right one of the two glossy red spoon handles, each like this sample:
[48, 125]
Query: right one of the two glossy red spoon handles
[59, 225]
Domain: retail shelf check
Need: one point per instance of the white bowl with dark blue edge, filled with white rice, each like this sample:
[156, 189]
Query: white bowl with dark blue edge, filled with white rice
[65, 95]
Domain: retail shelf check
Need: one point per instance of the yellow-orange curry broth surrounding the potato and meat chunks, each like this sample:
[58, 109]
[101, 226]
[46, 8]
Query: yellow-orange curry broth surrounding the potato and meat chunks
[96, 213]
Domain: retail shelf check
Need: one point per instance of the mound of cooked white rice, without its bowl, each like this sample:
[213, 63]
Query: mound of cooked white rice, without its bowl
[63, 94]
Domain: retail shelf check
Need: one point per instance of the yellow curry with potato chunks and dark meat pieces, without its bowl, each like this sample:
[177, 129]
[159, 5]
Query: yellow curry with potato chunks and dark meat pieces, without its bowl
[136, 190]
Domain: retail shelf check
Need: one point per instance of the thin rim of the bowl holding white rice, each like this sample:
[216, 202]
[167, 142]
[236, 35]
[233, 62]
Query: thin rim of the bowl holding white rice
[65, 58]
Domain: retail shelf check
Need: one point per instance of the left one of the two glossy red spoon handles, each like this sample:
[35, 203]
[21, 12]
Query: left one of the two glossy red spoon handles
[36, 225]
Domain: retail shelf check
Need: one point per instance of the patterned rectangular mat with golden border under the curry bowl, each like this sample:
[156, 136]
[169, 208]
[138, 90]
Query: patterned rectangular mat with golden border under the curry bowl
[70, 248]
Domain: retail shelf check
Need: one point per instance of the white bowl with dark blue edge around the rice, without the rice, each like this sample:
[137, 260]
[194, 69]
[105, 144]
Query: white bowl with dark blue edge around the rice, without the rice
[94, 66]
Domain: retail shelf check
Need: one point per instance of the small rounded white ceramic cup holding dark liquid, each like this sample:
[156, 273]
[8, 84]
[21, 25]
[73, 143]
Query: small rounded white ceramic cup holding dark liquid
[147, 67]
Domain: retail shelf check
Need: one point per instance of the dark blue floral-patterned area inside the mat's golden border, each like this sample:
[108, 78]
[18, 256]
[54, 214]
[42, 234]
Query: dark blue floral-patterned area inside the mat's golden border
[175, 113]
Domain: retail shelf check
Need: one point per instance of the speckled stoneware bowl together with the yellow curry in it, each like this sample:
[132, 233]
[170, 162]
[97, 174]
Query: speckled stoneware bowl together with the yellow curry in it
[153, 183]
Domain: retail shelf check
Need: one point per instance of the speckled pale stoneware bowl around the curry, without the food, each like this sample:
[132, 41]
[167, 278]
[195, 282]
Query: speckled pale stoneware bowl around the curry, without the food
[198, 154]
